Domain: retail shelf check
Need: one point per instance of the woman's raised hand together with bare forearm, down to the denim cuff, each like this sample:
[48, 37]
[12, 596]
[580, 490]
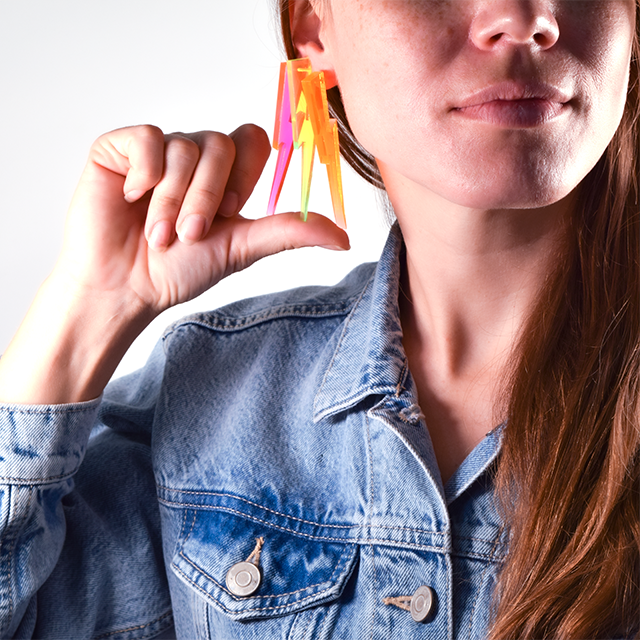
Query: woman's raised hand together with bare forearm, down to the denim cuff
[154, 222]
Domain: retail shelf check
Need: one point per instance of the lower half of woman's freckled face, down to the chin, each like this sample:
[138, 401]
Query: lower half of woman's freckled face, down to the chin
[487, 103]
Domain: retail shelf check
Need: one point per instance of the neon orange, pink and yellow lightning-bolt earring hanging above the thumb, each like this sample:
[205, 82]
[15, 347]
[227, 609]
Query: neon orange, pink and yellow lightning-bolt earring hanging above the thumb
[302, 121]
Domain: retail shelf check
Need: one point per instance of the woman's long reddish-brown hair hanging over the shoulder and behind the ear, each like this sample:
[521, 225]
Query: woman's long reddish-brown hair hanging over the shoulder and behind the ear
[568, 479]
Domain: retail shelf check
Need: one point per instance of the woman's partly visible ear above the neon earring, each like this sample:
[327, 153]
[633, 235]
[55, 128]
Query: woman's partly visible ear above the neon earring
[308, 36]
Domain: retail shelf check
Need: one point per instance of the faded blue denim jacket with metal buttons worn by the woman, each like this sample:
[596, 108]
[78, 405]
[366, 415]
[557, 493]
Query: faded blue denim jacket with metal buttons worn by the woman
[267, 475]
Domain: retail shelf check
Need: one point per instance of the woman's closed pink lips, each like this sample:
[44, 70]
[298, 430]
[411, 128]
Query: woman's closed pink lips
[514, 105]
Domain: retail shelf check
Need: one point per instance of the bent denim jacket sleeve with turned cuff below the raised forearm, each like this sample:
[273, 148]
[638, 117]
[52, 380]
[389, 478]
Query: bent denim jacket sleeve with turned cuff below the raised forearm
[80, 542]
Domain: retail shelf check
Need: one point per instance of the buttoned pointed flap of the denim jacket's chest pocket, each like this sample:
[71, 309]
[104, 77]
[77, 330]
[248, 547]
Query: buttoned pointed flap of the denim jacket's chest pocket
[294, 572]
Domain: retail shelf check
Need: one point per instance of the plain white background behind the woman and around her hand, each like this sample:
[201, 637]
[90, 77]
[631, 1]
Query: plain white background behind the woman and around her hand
[73, 69]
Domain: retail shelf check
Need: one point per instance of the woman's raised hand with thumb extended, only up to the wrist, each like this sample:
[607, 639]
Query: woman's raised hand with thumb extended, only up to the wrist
[155, 217]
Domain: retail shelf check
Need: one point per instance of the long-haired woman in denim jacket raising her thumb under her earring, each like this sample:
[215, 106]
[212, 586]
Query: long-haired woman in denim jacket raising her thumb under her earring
[309, 484]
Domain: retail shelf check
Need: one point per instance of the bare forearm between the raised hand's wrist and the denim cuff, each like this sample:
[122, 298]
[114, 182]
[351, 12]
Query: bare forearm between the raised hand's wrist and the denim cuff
[68, 347]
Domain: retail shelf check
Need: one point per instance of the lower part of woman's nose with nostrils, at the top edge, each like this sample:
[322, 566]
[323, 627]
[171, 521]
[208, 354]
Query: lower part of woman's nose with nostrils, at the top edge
[515, 22]
